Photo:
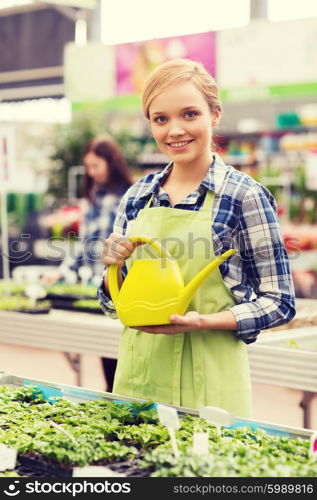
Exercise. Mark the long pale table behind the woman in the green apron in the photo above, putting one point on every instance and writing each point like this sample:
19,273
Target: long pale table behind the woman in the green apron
75,333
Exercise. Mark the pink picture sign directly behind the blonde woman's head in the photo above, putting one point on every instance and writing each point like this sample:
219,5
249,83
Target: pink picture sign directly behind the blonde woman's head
136,60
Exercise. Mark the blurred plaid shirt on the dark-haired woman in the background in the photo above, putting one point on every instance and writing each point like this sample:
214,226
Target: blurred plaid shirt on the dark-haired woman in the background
96,225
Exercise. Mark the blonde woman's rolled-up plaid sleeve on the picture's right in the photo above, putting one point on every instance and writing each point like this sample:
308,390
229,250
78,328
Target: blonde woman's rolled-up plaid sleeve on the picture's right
265,266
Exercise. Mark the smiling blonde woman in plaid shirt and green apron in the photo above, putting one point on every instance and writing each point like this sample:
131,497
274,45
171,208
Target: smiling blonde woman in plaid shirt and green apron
200,358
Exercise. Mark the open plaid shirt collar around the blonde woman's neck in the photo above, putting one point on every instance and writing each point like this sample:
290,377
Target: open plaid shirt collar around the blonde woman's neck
212,181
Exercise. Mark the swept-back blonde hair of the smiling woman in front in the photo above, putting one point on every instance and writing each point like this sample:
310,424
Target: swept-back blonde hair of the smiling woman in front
177,71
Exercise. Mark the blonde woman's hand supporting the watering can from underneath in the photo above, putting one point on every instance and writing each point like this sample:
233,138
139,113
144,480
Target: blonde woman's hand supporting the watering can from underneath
179,324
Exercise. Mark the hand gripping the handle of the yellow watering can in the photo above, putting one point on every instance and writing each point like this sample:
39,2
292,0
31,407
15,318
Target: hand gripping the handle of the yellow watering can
117,249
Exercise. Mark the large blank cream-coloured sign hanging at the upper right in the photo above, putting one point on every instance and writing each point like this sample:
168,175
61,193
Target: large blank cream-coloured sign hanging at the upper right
246,58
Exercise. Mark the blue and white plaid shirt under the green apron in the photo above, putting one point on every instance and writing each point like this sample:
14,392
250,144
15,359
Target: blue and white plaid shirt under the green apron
243,217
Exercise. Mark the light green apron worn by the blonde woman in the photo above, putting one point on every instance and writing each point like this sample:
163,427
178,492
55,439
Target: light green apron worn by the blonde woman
202,367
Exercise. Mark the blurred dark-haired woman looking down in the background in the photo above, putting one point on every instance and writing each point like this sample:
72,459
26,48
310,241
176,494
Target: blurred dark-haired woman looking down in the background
107,177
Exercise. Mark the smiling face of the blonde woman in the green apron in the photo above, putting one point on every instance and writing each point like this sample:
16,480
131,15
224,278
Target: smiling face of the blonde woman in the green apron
181,123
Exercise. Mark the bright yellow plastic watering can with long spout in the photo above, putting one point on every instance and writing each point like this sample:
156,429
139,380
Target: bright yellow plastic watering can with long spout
154,288
